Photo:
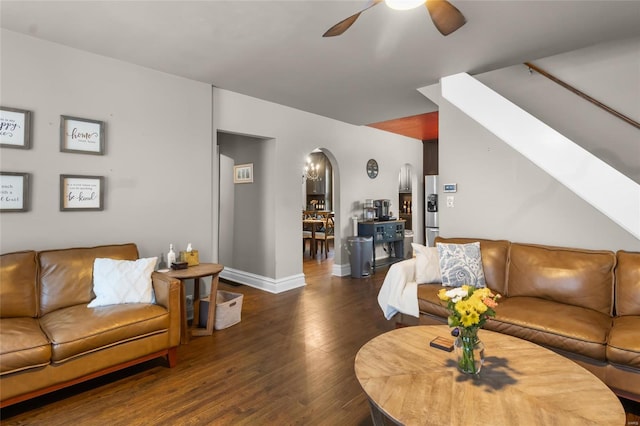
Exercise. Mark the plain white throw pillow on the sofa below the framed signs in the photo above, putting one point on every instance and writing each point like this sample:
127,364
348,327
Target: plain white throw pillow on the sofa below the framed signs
122,281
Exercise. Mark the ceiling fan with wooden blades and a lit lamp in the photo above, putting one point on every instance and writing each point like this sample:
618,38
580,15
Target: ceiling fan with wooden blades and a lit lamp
445,16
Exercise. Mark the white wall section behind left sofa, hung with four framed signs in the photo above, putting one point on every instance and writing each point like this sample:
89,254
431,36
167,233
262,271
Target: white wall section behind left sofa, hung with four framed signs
158,150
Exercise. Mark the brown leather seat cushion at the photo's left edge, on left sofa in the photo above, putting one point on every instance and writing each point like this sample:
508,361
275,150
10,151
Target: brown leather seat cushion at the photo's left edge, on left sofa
23,345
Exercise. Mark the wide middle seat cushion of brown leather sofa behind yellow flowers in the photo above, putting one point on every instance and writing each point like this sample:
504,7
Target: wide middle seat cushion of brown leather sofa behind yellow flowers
570,328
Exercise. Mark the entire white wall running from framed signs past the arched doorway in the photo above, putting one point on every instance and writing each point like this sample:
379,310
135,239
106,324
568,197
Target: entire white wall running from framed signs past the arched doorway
161,167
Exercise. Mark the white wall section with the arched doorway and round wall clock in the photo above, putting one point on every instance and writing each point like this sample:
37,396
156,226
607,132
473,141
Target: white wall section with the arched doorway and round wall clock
296,133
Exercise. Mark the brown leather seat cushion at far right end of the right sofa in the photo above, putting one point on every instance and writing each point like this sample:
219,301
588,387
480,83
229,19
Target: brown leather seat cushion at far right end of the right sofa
624,341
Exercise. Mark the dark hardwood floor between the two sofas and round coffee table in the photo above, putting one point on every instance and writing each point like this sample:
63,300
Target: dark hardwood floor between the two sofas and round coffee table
289,361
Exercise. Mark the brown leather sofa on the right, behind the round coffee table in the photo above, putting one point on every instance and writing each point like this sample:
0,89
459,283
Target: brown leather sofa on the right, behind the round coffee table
583,304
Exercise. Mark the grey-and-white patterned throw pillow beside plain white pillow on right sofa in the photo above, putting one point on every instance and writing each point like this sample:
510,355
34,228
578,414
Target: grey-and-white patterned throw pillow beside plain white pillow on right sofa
461,264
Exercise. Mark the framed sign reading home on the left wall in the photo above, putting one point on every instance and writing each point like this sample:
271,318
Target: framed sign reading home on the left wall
81,135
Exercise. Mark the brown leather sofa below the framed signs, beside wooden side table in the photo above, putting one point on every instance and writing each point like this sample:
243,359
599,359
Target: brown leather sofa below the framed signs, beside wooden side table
50,339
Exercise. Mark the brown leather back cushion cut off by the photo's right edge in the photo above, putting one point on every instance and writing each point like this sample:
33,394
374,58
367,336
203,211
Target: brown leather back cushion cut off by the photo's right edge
628,283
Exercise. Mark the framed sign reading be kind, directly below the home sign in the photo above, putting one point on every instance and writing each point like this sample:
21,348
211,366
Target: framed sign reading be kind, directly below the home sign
81,193
